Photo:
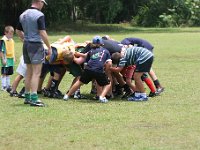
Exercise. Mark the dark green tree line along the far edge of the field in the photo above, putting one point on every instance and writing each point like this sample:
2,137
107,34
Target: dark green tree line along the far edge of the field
144,13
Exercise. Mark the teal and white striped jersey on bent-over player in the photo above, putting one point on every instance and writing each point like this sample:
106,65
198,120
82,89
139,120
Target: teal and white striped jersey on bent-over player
135,56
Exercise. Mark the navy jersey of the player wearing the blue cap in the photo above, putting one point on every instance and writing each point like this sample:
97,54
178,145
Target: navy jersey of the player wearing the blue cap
96,59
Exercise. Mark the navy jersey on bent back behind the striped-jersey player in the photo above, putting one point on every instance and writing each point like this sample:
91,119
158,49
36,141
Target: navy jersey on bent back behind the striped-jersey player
137,42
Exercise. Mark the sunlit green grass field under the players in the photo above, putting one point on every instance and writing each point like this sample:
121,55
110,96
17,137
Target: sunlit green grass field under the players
170,121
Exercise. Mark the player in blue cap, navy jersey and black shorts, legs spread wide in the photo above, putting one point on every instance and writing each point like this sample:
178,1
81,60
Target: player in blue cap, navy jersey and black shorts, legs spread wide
96,60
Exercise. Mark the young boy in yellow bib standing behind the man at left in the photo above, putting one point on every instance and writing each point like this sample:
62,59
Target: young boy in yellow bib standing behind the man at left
7,55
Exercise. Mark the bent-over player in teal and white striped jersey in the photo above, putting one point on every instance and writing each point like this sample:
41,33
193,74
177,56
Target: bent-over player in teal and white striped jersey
143,59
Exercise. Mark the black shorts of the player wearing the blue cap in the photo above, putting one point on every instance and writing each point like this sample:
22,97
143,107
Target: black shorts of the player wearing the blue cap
101,78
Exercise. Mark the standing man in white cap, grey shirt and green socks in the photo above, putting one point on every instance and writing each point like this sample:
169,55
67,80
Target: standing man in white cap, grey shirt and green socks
32,31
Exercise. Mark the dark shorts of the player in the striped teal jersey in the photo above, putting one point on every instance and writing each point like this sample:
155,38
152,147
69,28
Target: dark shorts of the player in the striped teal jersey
144,67
